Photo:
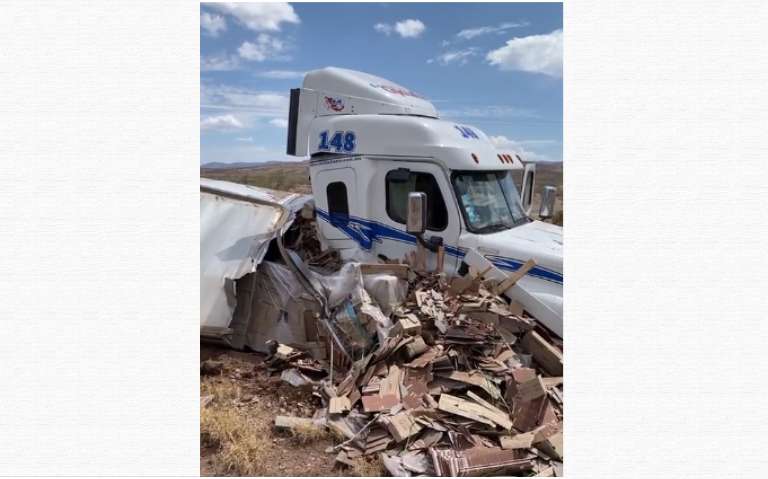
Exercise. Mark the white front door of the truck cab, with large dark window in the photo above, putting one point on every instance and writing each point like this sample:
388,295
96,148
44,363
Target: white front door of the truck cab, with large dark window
398,178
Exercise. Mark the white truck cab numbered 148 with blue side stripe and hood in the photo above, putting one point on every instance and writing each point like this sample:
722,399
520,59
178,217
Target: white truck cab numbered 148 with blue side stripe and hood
372,143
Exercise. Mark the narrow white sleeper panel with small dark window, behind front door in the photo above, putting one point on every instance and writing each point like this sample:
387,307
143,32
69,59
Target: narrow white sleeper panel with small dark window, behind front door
336,200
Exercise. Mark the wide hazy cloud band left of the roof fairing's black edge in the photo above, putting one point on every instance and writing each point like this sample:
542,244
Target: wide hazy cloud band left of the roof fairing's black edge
257,103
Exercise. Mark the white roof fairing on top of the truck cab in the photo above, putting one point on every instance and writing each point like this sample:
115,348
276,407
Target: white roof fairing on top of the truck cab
386,119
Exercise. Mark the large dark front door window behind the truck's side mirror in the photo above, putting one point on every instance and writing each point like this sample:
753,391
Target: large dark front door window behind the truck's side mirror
397,198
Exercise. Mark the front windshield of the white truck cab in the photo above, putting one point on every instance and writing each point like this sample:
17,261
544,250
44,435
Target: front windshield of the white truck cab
489,200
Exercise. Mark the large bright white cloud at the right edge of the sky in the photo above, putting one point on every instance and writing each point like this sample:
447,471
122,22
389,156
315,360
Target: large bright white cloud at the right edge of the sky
535,53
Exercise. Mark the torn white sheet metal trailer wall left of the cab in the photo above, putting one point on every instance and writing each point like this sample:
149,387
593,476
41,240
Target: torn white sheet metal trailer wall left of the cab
237,222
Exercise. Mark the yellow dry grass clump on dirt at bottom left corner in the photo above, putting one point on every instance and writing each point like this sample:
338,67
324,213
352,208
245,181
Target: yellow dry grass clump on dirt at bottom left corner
241,445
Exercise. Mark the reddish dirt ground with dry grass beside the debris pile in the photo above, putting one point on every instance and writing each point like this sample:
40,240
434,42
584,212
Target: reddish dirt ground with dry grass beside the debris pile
237,434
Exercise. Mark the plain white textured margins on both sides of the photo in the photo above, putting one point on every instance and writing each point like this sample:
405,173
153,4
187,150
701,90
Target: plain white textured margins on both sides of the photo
665,183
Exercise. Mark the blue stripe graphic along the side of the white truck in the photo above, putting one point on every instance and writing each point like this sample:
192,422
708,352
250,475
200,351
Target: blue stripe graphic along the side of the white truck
364,232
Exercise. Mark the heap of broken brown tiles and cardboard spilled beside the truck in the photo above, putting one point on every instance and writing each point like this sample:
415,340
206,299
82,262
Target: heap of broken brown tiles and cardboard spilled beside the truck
458,383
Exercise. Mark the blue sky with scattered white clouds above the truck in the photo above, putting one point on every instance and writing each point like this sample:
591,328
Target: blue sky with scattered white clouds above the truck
497,66
